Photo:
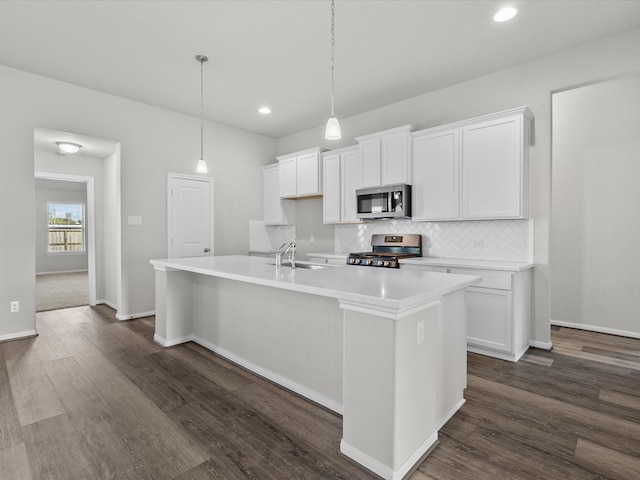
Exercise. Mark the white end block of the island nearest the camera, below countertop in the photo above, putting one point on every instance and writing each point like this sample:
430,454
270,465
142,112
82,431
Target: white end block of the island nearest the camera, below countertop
390,388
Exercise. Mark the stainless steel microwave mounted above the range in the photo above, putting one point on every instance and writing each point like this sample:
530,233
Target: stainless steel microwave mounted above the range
390,201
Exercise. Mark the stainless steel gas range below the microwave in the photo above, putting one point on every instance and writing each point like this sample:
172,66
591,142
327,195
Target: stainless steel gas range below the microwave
387,250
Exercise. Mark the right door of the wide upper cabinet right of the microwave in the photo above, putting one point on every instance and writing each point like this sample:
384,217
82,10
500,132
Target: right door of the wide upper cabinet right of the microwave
492,169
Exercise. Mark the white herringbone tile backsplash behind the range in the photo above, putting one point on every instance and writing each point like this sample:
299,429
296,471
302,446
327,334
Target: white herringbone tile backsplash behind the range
503,240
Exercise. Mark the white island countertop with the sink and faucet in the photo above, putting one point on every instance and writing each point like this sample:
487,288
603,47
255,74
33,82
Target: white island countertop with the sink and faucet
397,289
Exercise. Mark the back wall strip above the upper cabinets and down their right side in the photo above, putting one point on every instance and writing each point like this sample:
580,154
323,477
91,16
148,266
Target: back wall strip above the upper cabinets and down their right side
528,84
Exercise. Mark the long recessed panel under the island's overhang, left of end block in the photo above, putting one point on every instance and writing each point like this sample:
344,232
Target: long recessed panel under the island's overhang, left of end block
292,338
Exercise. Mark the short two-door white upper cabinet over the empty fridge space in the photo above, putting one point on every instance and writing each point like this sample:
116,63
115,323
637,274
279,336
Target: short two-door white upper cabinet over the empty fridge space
301,173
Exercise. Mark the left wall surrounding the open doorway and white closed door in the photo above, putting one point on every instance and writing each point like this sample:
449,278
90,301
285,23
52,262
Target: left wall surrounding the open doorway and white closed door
153,142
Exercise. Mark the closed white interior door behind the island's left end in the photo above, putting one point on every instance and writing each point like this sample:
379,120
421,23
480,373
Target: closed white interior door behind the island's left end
190,216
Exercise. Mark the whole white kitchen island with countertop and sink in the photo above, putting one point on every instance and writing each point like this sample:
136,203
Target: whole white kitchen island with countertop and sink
386,348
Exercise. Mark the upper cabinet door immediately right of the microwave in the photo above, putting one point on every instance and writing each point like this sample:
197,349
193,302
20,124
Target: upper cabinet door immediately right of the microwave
436,176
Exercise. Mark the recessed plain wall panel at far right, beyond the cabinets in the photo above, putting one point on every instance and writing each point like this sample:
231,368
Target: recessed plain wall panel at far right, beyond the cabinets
594,253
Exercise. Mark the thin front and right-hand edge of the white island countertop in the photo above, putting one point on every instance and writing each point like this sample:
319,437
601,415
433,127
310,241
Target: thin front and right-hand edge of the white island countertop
389,308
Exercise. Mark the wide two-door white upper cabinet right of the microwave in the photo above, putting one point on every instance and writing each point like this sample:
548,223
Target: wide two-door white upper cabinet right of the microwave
472,170
